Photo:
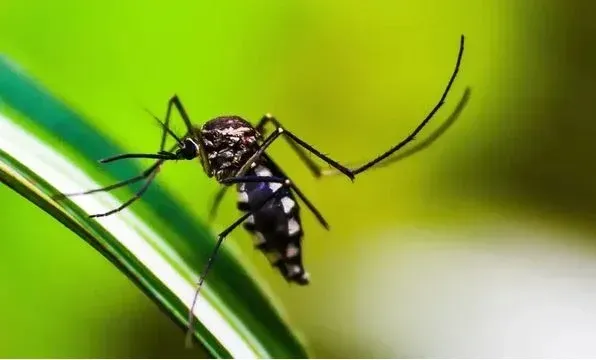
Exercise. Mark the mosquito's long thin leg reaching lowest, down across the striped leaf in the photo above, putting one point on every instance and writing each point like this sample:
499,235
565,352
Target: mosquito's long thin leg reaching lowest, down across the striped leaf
220,238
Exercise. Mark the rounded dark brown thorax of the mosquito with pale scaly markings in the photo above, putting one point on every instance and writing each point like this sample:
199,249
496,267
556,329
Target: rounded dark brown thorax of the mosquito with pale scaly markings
229,141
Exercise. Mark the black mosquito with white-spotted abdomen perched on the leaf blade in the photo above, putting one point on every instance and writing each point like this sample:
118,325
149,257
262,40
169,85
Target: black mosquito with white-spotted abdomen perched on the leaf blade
233,151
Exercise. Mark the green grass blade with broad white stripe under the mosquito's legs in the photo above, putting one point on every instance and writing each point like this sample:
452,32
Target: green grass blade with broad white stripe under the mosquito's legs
160,252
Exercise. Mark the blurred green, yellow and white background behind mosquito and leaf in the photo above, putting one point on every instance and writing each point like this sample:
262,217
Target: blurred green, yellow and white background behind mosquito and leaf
481,246
